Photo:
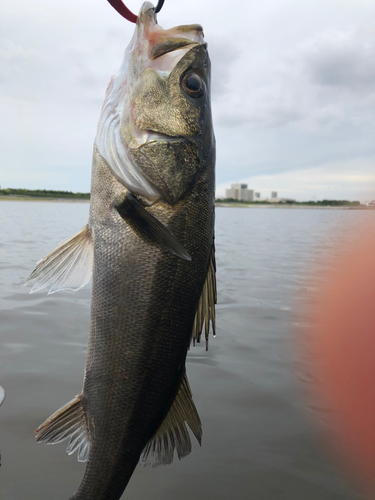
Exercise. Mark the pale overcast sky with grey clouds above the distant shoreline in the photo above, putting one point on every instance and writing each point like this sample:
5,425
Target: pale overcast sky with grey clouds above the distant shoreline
293,91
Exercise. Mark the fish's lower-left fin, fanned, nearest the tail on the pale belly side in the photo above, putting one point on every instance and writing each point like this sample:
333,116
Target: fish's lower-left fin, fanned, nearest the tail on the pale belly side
67,423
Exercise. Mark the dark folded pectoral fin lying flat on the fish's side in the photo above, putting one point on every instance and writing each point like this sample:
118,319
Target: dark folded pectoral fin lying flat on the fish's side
149,228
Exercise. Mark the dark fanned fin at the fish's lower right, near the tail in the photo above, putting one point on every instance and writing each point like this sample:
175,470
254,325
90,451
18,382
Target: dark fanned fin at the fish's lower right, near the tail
173,434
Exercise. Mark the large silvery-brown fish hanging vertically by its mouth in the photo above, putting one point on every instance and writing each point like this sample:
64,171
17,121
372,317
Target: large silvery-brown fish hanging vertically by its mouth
149,247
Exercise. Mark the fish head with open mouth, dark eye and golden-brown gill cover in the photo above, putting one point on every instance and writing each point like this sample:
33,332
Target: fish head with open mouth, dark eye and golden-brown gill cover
156,131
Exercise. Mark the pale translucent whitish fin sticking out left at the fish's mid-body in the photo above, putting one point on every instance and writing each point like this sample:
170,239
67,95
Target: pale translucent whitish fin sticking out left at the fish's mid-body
68,267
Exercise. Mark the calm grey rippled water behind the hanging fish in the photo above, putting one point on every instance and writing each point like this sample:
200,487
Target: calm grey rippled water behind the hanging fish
259,441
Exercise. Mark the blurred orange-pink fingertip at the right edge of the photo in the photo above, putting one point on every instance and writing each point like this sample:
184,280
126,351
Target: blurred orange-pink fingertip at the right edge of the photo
345,344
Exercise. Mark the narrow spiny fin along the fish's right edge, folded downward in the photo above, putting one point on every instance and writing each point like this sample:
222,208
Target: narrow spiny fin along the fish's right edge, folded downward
206,306
